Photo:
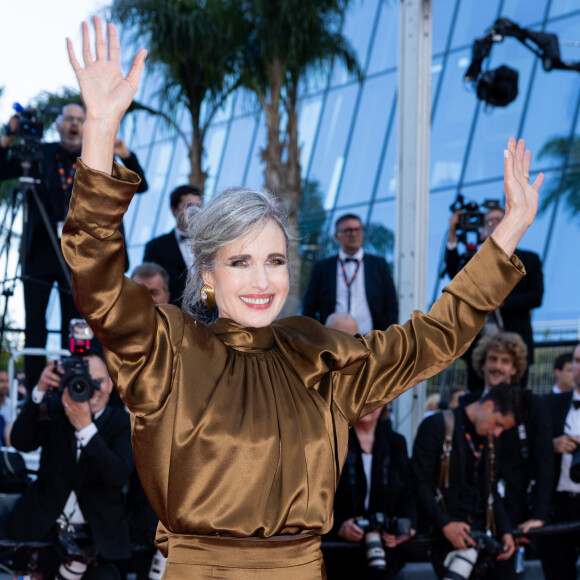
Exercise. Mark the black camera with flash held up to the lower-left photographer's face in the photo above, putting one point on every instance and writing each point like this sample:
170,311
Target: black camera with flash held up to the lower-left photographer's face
76,378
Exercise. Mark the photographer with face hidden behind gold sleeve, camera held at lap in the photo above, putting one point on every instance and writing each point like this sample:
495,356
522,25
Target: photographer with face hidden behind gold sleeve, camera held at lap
376,481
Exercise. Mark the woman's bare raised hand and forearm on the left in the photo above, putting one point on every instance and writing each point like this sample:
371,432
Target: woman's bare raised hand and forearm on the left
106,93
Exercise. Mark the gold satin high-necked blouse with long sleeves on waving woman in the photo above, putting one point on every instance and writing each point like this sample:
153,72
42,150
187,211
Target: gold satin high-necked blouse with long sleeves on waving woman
243,431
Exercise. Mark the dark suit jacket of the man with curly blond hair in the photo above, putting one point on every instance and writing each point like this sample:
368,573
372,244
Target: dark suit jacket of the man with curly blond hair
517,470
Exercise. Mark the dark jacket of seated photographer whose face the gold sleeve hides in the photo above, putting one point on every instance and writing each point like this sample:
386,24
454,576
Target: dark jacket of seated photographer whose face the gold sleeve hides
391,491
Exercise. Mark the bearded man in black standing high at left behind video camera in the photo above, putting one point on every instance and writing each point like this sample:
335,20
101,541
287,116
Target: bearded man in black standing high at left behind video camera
43,264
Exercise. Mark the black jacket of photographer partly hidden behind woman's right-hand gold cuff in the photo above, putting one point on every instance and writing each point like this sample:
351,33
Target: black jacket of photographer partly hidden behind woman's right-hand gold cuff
527,295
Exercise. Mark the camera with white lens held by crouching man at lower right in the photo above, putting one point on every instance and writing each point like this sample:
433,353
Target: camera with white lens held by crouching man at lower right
460,563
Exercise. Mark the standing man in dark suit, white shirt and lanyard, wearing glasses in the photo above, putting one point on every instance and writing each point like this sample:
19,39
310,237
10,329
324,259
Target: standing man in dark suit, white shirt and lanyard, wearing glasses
353,282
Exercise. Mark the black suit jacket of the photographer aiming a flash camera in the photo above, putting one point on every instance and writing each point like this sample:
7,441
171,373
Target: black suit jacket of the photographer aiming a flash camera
98,477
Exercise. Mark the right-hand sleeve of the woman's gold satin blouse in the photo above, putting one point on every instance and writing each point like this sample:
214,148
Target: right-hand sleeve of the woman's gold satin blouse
405,355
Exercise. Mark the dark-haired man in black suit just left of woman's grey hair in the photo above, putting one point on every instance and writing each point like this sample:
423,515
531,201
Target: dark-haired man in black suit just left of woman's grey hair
172,250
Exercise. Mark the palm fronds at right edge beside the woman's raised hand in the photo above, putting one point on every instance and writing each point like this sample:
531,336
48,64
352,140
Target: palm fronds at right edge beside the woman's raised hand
567,188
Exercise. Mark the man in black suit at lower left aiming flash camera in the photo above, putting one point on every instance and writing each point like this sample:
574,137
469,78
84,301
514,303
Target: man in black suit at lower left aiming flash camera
85,461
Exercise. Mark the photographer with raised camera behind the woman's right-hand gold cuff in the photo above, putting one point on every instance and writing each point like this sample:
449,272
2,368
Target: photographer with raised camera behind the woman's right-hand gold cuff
514,315
